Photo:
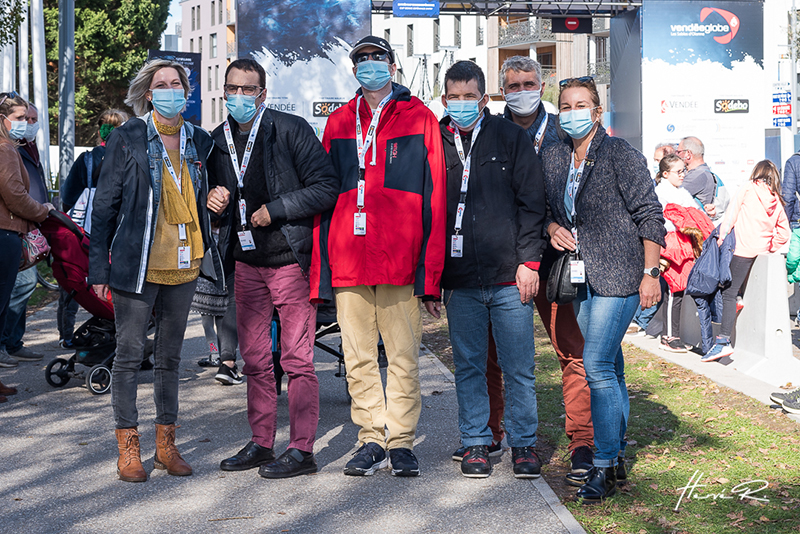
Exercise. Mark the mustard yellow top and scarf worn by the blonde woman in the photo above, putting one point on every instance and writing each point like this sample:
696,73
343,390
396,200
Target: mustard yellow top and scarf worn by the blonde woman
176,207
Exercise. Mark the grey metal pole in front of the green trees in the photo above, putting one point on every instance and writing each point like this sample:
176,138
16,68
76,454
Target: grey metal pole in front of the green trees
66,87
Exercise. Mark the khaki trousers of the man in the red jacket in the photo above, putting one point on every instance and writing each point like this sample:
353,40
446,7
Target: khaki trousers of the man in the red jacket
393,311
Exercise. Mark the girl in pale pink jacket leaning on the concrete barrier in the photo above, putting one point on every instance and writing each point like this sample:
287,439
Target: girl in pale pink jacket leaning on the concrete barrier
760,225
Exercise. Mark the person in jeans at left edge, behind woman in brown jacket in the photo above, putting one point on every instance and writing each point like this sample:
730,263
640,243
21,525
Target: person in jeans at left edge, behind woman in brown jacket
14,328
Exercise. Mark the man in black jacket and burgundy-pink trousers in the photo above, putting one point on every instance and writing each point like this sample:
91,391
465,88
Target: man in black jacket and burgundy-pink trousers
273,179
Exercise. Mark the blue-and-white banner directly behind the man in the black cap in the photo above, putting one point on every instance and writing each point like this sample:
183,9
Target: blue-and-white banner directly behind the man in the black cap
304,47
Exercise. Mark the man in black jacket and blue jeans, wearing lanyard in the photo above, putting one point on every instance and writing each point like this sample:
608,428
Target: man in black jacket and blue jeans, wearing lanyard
495,212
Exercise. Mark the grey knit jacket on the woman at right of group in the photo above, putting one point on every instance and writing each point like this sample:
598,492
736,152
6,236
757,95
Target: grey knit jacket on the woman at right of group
617,208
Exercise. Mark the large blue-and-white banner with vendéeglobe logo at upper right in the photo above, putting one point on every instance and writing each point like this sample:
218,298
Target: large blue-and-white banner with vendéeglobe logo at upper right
703,75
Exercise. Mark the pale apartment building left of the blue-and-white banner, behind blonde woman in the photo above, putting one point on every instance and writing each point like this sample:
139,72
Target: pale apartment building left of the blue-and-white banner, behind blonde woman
208,27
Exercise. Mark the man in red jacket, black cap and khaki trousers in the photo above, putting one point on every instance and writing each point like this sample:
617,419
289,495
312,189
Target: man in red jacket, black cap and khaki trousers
381,250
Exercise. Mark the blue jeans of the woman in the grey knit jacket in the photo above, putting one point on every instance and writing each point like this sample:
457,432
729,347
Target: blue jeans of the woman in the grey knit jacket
603,321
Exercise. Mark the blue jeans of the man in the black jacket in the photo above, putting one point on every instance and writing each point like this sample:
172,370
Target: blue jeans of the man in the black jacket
469,312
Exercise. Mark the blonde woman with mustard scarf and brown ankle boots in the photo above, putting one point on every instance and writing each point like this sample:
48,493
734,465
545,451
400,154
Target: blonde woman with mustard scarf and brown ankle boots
150,221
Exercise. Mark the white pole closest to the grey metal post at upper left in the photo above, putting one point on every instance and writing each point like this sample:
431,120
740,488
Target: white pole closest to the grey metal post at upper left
40,84
